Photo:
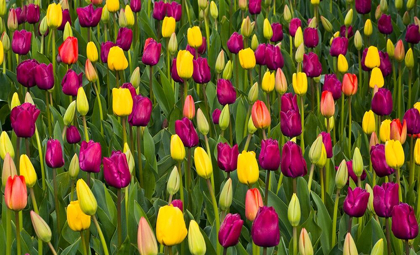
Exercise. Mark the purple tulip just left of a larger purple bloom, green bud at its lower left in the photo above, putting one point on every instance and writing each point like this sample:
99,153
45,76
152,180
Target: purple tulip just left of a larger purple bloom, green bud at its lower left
90,156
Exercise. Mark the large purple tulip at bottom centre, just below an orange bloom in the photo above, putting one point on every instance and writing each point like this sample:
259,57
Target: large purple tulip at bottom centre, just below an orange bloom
265,229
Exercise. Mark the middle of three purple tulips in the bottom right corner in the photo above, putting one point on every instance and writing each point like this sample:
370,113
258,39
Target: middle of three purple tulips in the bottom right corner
385,197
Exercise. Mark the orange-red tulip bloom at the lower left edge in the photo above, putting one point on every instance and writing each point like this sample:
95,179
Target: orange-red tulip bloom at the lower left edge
15,194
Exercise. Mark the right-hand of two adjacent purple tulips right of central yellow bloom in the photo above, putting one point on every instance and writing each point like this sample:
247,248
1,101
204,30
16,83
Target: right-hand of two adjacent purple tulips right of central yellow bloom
292,162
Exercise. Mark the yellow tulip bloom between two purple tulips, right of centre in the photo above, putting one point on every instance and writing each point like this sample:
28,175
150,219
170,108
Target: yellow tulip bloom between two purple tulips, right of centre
248,171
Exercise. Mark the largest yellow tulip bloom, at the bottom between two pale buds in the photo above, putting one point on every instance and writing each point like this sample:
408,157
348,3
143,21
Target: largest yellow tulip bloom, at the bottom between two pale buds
170,226
